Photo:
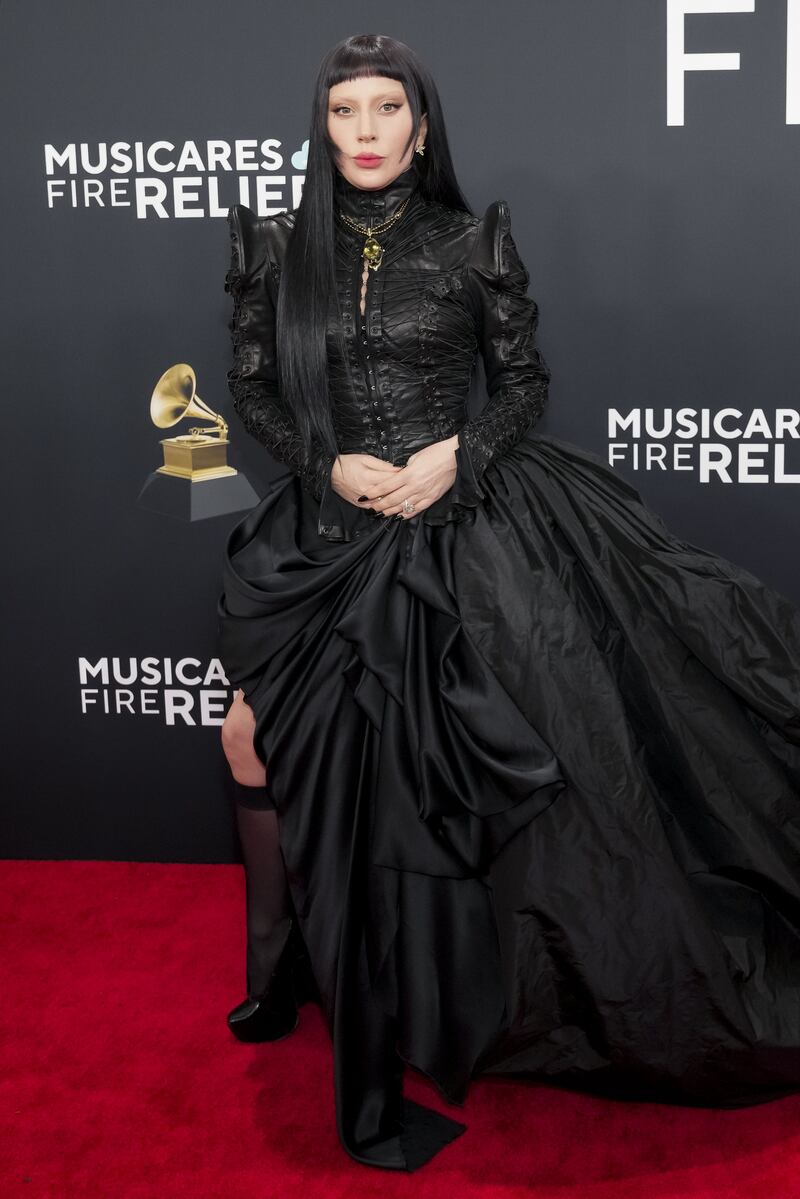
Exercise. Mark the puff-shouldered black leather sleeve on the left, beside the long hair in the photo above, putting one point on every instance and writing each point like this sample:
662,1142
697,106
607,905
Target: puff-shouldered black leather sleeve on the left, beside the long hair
252,379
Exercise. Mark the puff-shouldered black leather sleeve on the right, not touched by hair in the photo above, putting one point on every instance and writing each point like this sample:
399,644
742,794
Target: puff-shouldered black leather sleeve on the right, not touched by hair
516,375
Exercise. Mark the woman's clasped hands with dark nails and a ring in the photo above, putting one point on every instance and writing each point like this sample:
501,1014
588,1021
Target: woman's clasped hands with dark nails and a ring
428,475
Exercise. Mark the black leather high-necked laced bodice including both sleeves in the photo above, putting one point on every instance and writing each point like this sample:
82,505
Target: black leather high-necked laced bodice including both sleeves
450,286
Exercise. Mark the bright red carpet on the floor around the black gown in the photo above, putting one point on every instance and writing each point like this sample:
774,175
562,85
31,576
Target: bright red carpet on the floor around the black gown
119,1077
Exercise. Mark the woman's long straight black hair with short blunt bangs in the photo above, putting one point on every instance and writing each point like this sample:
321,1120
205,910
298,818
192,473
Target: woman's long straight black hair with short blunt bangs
308,280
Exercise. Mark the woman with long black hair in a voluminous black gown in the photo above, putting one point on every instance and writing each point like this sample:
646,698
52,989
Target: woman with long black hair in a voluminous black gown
519,772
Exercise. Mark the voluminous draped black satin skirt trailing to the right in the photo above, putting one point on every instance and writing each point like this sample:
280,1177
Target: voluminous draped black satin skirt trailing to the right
538,784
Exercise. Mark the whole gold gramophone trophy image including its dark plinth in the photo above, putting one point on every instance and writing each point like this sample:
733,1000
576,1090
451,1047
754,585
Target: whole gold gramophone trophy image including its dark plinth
191,459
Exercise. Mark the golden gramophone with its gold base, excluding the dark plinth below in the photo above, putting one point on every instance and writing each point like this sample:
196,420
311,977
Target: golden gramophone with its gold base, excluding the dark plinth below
197,455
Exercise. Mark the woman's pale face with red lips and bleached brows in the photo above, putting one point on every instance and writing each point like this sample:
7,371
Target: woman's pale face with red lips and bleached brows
372,117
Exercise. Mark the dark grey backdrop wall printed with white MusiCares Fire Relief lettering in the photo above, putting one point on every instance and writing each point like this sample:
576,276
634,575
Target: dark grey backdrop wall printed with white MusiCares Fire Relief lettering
659,225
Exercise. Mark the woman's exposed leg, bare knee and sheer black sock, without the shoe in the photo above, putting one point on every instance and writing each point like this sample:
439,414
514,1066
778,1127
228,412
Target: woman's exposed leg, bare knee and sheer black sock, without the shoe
268,902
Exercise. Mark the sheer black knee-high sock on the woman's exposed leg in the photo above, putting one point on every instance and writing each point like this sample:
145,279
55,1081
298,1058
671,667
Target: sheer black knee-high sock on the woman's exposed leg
268,900
